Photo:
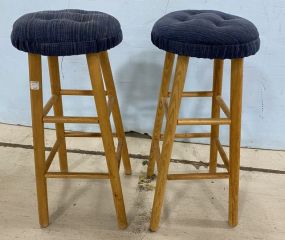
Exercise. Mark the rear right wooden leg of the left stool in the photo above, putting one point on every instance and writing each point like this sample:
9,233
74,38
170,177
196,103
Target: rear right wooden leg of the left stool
110,87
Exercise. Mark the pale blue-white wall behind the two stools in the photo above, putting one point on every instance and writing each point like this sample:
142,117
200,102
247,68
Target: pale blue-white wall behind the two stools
137,66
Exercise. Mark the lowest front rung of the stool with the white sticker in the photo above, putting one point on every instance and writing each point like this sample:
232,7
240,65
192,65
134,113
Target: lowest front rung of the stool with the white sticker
82,175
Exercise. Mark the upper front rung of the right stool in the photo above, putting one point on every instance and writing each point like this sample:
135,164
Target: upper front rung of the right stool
203,121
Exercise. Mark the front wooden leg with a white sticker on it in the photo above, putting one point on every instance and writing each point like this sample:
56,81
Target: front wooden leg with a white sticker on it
35,71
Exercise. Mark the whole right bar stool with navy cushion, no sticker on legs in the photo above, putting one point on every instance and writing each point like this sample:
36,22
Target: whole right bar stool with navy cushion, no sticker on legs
202,34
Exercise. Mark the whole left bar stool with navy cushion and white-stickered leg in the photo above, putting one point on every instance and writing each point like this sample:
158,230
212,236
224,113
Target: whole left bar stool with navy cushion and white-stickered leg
65,33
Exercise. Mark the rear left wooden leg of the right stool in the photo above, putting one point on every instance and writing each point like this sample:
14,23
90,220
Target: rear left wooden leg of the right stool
166,76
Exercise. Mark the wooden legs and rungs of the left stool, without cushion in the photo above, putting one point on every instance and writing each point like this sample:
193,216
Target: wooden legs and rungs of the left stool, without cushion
100,75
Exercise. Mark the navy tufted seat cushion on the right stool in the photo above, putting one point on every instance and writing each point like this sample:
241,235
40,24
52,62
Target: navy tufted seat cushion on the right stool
206,34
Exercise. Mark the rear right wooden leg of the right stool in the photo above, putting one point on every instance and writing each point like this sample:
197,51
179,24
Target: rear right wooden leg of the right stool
217,91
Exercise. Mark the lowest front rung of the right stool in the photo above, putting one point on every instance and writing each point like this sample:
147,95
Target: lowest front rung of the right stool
193,176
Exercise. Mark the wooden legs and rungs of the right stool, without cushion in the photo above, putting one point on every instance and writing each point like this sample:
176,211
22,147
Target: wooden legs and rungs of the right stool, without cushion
169,104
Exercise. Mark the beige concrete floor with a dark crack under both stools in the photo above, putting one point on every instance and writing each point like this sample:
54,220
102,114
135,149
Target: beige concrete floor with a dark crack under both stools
83,209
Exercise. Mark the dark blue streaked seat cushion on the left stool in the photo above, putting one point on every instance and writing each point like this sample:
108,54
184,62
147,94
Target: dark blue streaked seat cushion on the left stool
66,32
